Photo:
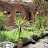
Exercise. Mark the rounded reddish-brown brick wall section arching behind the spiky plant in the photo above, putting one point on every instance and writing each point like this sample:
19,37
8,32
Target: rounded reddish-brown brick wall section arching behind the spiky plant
19,8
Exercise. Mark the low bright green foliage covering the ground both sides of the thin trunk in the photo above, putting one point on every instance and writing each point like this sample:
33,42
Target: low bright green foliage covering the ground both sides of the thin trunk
13,35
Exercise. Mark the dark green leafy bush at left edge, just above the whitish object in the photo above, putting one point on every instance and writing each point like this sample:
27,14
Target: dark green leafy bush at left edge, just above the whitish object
5,37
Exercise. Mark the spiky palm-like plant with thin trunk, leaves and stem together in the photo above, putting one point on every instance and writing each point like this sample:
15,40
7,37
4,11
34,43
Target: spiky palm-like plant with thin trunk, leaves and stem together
20,23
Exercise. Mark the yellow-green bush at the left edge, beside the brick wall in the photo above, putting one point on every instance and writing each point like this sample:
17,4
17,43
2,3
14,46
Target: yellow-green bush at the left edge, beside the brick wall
3,21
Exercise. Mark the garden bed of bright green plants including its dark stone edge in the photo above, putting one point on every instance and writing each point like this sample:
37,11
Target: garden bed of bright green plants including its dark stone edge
27,37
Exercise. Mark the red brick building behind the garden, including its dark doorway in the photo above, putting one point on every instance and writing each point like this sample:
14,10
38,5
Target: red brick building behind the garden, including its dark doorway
11,9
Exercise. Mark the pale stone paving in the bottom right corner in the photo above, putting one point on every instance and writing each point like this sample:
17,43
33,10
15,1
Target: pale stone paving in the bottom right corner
39,44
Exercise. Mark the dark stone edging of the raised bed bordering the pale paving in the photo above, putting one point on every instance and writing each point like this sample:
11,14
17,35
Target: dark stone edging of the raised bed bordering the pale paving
33,39
